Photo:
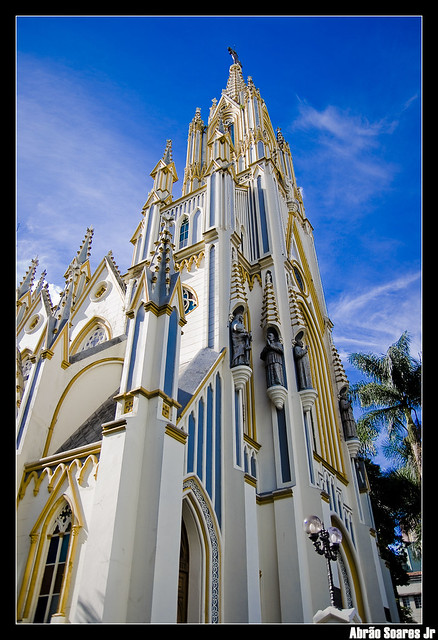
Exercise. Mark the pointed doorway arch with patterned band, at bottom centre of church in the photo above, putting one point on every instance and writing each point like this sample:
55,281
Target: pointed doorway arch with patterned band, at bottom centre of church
205,553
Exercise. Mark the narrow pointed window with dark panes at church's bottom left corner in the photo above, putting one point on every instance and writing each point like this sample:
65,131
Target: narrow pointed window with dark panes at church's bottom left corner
54,570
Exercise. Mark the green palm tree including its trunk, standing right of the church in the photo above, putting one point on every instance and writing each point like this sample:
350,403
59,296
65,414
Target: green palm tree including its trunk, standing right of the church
392,397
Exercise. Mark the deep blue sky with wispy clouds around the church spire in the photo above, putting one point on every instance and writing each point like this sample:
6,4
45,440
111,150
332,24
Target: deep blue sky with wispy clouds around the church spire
98,96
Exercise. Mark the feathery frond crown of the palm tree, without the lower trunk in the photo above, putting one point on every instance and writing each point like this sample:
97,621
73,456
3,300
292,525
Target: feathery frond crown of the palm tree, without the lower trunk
393,399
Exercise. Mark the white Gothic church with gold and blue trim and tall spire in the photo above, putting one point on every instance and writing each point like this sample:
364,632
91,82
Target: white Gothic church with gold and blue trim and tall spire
177,423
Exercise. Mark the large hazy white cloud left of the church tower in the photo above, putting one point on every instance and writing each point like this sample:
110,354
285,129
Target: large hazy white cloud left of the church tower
75,168
